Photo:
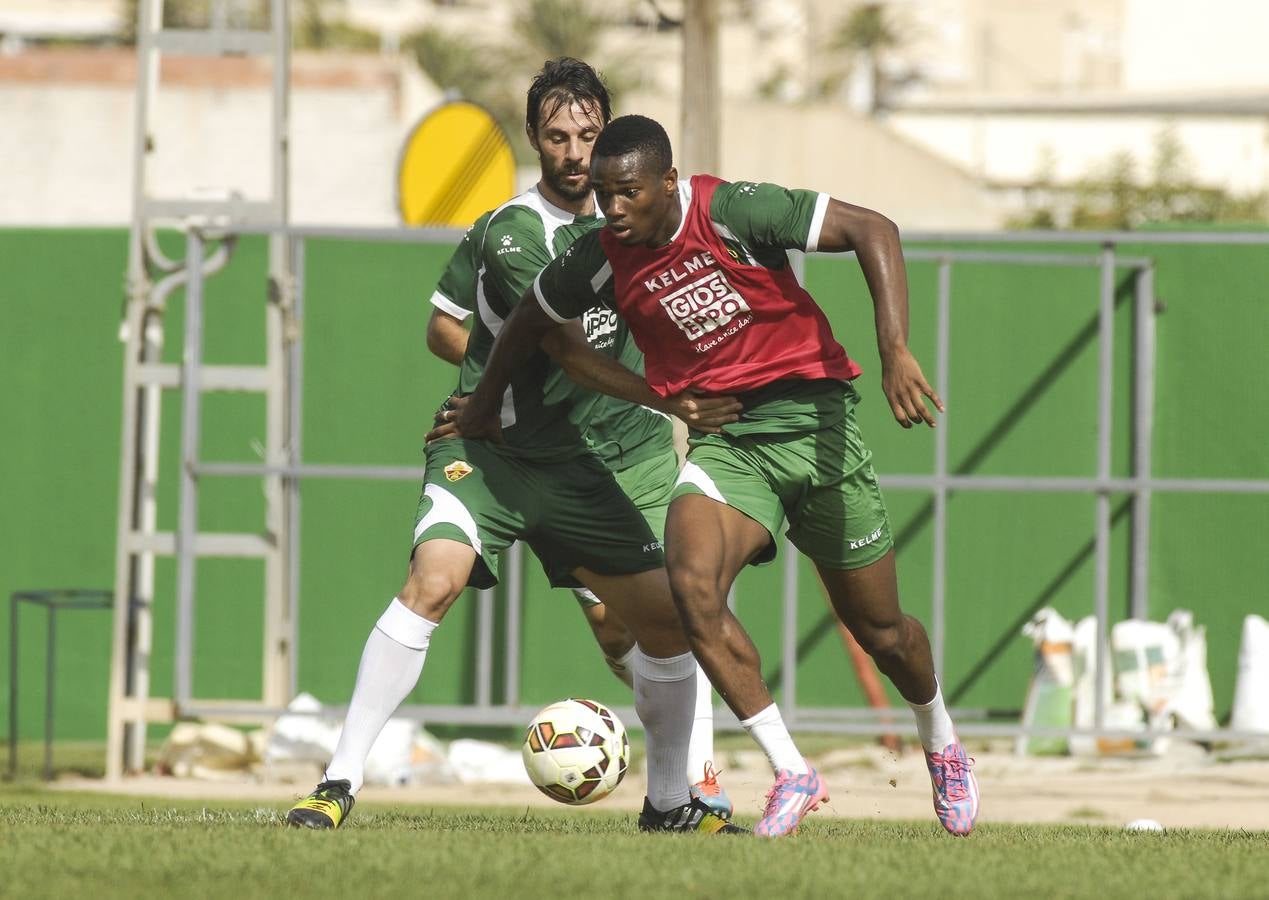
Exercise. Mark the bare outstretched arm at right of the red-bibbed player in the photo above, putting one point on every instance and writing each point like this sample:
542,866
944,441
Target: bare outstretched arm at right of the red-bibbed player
876,243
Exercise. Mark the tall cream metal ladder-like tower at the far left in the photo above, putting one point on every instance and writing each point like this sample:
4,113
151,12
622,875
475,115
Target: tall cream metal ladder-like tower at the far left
153,277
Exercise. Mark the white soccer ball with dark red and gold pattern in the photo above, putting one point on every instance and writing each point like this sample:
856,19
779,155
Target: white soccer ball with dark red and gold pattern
577,752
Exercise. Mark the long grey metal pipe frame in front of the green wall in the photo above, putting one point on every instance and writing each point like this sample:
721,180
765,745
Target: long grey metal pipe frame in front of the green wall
290,470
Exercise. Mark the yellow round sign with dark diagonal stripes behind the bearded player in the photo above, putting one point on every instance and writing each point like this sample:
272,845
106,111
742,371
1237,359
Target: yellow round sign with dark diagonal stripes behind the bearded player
456,164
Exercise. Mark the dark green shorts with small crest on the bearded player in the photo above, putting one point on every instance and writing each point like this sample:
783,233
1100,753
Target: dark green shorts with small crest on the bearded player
572,512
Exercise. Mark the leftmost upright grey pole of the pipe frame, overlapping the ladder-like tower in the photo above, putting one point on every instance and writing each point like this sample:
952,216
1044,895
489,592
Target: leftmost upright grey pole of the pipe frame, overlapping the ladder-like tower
191,412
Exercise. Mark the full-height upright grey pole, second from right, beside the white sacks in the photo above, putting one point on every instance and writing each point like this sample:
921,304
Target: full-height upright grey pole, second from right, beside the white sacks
1106,393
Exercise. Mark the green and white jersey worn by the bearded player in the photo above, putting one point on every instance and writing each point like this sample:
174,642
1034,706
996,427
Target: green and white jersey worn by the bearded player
544,412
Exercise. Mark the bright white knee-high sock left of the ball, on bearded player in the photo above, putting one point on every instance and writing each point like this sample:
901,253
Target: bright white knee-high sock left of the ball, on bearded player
391,665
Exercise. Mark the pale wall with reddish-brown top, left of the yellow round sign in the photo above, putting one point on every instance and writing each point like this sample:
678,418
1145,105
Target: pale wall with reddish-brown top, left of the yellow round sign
68,143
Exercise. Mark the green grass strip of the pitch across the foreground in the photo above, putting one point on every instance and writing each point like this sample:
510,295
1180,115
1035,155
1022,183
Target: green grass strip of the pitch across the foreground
65,845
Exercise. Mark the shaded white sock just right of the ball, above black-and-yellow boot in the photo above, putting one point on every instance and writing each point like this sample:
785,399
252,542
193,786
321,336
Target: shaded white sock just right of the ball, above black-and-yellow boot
664,695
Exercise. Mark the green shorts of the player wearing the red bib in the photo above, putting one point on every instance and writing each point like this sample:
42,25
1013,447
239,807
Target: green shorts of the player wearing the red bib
823,482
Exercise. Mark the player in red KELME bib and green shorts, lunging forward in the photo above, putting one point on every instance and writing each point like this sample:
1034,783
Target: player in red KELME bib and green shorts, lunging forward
700,272
